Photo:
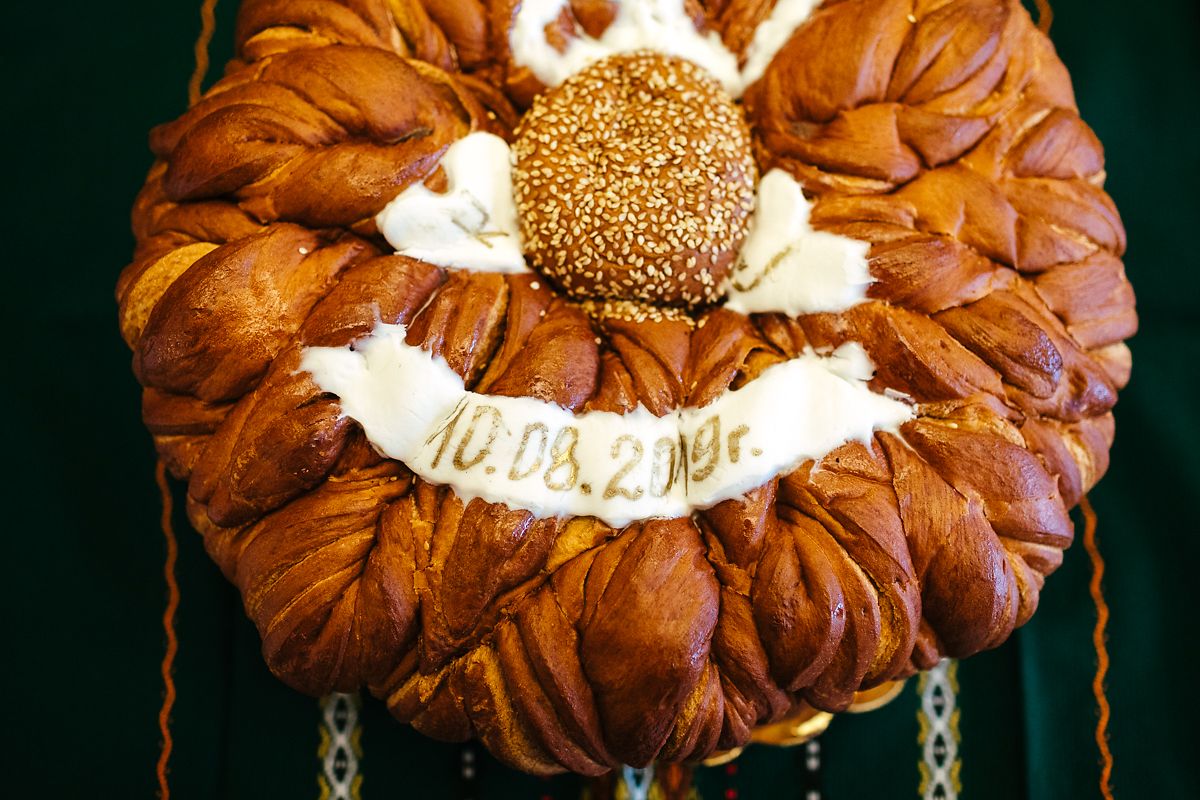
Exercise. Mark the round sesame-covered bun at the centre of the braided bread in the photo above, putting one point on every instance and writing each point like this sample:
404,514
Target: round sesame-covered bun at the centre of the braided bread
635,182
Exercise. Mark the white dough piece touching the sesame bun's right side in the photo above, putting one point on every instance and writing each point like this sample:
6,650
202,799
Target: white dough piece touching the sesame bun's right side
788,267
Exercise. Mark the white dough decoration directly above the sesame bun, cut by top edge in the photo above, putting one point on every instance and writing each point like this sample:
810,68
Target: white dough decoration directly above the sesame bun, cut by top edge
661,26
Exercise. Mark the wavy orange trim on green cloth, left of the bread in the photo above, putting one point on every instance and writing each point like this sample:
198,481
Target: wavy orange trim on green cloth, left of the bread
208,27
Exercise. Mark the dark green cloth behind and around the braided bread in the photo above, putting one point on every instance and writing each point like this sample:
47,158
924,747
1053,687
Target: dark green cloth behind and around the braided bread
85,551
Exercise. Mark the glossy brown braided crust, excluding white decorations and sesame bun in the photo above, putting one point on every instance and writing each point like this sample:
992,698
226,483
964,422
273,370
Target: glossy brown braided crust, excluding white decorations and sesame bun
943,133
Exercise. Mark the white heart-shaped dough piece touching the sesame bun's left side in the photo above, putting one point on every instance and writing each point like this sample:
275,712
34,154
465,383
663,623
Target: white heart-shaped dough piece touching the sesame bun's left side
473,224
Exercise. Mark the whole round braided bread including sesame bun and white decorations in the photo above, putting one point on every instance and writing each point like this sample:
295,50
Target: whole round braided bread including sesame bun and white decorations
527,378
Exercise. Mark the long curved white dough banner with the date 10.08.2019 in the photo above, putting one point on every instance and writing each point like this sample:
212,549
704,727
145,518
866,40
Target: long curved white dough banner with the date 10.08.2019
538,456
